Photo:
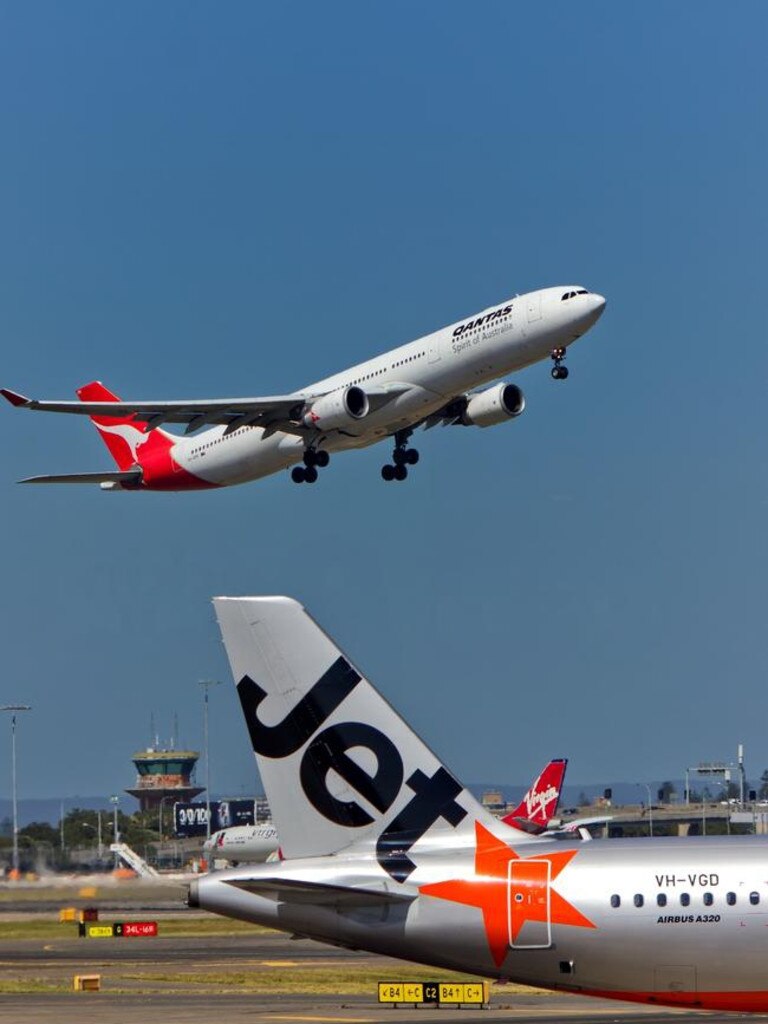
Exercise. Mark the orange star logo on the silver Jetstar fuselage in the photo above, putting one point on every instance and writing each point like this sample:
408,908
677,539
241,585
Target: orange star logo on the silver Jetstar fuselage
531,895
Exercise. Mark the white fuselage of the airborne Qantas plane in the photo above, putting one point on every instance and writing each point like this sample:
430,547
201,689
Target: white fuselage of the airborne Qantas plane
425,374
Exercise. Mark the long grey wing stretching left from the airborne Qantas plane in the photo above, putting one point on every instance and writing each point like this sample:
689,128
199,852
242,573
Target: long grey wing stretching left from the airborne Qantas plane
274,413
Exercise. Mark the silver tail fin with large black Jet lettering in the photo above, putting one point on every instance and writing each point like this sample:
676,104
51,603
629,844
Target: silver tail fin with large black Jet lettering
338,764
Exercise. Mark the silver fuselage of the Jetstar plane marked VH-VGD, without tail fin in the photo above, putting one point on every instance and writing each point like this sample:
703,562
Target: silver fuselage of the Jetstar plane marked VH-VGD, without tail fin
668,921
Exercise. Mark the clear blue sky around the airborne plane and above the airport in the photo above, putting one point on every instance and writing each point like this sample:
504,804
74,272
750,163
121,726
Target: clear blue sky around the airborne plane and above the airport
204,200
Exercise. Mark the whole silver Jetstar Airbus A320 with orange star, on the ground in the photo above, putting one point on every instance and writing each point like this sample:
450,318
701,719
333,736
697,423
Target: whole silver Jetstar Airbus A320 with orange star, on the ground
385,850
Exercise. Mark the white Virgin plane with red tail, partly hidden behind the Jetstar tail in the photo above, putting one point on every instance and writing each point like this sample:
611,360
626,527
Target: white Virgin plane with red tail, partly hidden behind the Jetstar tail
254,844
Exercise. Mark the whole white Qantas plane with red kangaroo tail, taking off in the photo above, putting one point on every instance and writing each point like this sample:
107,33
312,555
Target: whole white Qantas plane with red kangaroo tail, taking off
437,379
